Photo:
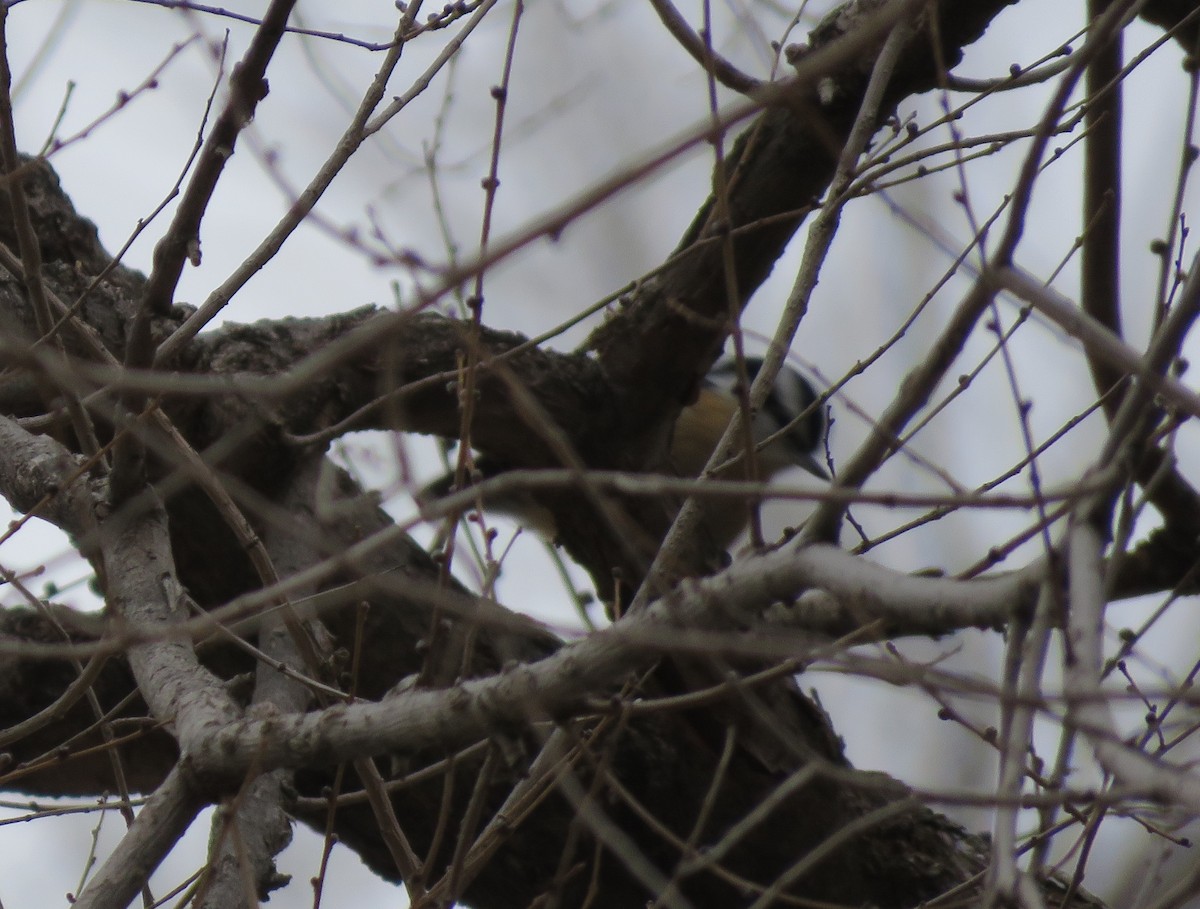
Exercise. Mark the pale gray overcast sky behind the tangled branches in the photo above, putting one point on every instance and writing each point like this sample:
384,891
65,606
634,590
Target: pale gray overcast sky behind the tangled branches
597,85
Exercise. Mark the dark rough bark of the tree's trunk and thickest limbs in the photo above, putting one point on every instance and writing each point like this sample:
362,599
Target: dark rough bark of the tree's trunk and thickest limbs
616,412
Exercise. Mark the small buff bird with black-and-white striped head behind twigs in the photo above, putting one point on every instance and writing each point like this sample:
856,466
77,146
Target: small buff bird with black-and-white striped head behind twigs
698,431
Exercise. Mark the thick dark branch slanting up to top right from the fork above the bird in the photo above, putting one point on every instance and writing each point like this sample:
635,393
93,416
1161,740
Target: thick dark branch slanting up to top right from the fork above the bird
675,326
